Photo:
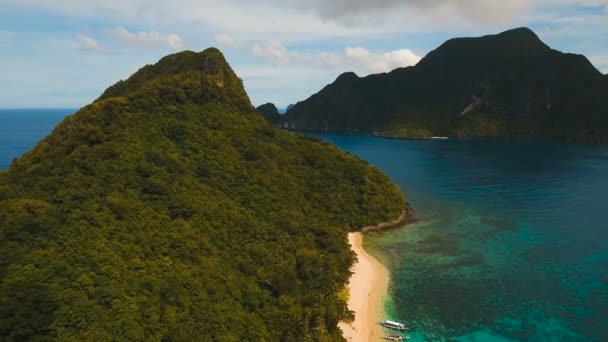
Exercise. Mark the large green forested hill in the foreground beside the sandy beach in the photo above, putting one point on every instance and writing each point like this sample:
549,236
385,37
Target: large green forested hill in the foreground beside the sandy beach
170,210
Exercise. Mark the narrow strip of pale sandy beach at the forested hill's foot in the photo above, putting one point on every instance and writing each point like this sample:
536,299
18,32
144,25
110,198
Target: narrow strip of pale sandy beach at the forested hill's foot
368,287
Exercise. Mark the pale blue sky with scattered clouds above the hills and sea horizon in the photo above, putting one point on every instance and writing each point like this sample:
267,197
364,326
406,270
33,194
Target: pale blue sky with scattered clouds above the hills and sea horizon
64,53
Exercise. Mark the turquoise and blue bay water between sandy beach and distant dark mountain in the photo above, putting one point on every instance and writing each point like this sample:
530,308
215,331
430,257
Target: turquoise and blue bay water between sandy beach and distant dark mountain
512,242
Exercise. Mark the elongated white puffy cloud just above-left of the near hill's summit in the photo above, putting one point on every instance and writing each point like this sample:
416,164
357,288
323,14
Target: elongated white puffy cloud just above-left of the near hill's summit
147,39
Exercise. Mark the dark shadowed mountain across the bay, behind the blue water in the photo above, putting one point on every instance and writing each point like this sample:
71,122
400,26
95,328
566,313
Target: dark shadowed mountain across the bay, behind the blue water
509,85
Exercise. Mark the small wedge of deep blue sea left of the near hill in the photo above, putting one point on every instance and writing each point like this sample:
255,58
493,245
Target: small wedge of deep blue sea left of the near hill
21,129
